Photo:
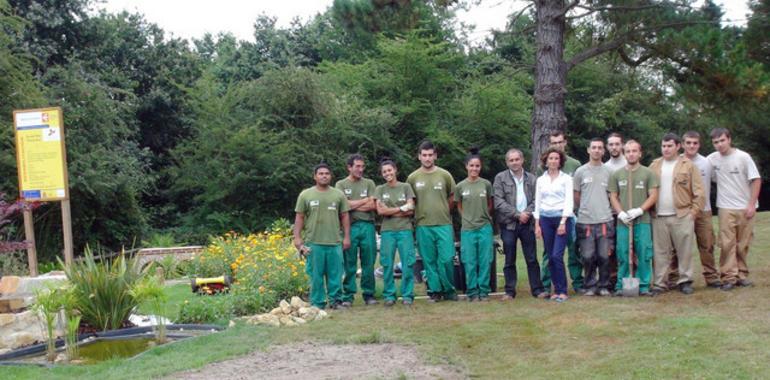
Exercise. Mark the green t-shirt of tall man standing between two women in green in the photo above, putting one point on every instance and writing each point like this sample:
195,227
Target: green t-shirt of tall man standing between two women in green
432,191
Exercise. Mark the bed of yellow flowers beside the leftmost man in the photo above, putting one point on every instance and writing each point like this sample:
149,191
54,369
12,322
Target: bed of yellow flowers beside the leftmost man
265,269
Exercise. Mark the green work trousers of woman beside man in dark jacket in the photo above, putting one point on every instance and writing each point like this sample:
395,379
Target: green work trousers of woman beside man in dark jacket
476,255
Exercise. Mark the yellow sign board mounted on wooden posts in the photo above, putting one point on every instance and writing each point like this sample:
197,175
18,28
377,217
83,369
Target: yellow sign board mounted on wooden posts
40,154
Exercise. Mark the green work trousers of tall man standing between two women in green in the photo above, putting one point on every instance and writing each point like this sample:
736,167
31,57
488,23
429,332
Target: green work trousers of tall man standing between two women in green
437,249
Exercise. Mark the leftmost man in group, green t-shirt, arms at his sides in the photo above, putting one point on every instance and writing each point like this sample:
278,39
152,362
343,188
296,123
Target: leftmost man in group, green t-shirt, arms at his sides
320,211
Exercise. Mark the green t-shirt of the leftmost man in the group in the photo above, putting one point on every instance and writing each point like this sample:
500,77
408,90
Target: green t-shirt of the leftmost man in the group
322,211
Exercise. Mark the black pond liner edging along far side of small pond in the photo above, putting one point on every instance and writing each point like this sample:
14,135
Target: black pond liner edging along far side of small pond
112,334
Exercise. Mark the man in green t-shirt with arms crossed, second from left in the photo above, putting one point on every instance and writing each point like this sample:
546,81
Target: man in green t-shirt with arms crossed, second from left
359,192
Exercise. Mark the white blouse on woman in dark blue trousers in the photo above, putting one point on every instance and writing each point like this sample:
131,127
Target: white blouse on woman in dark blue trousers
554,198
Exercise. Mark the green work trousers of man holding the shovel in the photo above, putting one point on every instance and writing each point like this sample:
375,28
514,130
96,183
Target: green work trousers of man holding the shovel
642,253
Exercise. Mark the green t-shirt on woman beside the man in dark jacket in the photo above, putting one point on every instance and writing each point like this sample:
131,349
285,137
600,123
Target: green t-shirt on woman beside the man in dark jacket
474,197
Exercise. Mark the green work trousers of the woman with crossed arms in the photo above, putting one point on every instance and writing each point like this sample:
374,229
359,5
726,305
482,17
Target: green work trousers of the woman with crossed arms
404,242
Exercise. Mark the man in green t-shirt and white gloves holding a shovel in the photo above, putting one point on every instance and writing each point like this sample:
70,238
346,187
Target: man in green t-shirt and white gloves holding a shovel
633,191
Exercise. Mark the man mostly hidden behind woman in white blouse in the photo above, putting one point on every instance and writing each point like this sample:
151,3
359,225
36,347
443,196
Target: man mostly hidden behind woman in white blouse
574,264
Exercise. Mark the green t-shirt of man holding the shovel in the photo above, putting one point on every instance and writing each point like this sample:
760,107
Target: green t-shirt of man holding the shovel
642,179
